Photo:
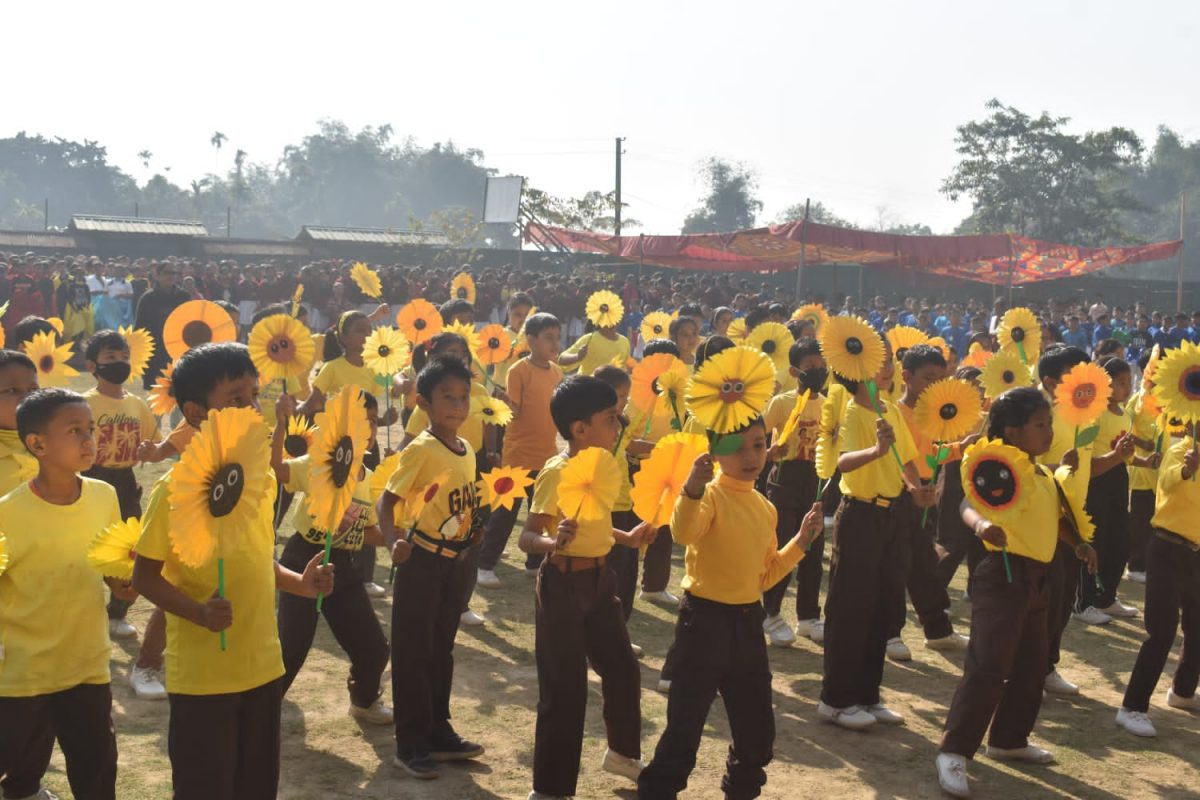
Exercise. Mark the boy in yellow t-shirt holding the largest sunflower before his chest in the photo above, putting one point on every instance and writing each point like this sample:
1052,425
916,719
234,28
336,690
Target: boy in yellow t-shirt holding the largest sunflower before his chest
225,706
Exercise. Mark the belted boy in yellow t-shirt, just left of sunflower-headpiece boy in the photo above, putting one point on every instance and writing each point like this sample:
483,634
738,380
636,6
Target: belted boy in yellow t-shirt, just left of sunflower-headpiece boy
578,617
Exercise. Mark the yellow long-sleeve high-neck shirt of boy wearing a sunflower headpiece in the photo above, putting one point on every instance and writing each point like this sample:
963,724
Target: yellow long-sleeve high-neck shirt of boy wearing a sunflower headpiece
730,533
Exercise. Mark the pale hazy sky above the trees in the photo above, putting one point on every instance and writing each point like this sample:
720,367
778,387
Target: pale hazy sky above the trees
851,104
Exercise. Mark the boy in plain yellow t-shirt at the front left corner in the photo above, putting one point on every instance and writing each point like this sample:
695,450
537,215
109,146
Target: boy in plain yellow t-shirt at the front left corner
55,677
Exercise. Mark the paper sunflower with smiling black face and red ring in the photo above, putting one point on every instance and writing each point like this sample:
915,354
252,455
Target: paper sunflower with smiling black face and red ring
998,480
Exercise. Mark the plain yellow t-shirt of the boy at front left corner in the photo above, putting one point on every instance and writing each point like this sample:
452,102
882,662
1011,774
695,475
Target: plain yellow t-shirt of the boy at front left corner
53,624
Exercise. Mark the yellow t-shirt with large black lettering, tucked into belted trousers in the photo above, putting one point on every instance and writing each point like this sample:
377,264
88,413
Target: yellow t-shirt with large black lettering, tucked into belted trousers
449,513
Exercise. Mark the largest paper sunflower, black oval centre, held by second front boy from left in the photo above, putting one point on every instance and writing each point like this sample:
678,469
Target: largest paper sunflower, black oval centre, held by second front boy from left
220,485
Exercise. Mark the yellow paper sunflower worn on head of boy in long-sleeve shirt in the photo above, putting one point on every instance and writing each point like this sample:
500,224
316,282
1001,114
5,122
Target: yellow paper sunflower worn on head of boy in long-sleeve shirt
731,389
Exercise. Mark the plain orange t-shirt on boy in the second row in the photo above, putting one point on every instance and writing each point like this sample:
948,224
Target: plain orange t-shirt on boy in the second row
531,440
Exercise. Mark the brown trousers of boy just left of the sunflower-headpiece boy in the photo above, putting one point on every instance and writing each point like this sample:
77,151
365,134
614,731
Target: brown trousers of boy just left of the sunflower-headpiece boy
579,622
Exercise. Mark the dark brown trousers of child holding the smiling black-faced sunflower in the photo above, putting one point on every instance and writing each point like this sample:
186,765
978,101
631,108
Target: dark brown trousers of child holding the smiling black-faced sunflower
1004,673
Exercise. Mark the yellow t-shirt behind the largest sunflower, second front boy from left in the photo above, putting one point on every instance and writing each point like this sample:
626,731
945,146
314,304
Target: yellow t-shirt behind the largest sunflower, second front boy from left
196,665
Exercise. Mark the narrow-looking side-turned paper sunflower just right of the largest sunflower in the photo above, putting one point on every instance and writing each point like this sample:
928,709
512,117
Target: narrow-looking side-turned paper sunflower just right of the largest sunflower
344,435
